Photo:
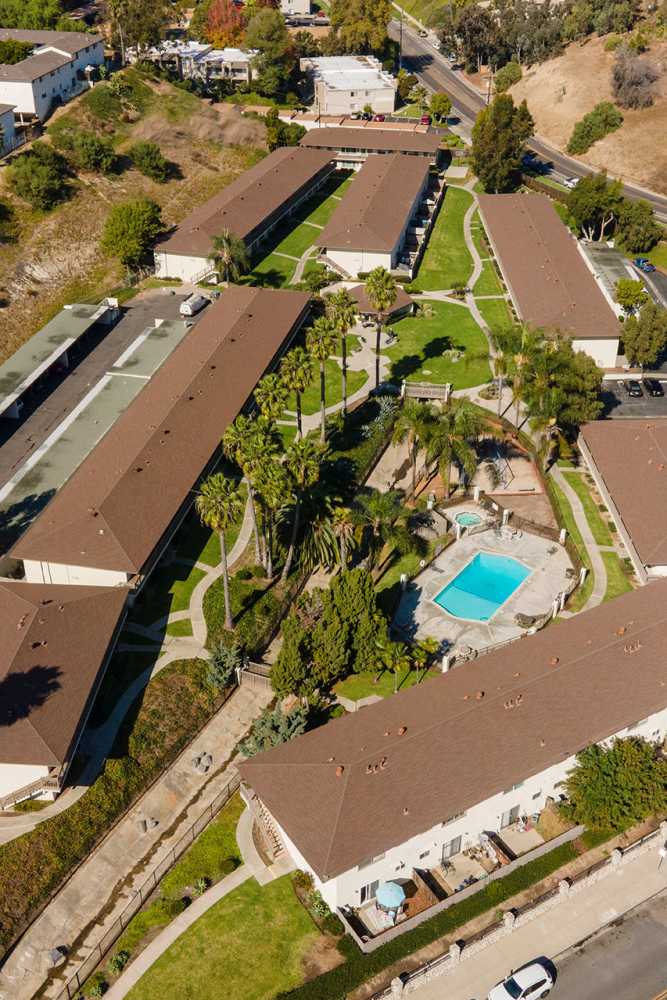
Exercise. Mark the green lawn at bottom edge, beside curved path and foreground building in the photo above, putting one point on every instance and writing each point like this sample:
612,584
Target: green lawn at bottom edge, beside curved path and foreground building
250,945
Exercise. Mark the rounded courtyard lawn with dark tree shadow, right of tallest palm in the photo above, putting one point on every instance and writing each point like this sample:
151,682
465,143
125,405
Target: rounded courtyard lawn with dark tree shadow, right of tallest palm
419,355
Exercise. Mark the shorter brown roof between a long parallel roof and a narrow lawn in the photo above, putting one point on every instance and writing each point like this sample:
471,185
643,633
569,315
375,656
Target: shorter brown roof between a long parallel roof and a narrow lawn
374,210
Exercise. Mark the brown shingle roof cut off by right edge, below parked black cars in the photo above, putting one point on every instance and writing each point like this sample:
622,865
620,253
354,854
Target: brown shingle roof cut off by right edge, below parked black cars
631,457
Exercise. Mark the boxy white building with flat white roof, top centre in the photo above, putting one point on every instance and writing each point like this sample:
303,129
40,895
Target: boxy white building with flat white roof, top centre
345,84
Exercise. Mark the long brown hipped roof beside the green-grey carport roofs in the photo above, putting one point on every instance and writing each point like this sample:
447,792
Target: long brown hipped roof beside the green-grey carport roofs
112,513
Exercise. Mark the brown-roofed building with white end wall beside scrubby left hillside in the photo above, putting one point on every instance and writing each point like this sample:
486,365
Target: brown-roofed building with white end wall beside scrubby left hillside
250,207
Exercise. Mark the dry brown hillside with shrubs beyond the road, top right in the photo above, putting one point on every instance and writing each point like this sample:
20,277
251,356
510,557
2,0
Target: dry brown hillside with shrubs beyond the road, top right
561,91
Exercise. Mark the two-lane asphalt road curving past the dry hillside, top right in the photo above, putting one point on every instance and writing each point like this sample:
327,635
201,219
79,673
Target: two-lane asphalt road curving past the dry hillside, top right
422,59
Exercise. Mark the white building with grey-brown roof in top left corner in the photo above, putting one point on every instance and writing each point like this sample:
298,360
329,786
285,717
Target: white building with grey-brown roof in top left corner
59,67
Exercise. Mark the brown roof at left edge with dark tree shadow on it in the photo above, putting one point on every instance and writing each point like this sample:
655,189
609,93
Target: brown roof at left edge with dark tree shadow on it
53,642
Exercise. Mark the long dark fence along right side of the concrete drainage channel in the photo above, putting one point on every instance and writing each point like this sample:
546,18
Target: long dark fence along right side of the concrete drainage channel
109,938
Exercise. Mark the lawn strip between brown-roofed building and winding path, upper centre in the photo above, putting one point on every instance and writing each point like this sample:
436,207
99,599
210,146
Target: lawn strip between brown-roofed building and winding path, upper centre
447,259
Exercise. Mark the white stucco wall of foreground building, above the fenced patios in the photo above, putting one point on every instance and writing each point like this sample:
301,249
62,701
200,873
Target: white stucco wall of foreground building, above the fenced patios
425,849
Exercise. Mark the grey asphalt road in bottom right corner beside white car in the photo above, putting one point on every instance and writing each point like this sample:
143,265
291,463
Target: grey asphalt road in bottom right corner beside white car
626,961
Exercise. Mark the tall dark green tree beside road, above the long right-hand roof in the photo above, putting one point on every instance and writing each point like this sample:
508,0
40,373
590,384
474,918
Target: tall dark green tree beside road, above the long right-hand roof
498,143
